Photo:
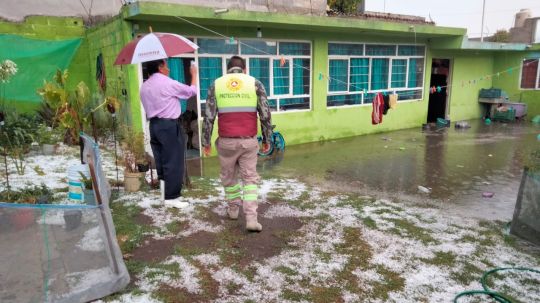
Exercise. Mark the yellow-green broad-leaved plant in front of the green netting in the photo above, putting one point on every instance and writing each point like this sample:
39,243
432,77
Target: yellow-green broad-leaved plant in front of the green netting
68,106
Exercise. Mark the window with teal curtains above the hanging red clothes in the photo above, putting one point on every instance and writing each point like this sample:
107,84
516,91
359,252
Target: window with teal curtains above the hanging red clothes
357,72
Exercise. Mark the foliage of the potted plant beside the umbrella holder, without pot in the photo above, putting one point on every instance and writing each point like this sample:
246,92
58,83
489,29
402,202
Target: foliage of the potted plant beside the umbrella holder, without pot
133,148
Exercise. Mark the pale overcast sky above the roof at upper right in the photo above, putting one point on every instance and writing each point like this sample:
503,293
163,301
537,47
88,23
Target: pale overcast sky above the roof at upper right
499,14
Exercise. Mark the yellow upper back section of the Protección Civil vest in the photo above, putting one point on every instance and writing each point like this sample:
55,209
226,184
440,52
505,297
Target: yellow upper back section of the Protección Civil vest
236,91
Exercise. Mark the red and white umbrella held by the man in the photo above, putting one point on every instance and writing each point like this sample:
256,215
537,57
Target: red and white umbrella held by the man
154,46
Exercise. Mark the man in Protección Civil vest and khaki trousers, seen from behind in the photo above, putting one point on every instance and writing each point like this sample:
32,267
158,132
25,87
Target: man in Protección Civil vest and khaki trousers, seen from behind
236,98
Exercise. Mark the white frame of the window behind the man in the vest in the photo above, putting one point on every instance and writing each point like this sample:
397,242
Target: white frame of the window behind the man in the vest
269,90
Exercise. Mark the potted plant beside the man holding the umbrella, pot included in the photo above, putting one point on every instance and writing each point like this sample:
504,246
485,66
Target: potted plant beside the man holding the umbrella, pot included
134,154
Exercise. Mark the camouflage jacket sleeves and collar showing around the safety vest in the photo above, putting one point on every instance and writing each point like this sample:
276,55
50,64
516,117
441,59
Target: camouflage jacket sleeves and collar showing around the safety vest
262,108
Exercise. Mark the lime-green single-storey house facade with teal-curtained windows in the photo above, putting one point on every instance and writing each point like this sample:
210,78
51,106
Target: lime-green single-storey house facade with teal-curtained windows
321,73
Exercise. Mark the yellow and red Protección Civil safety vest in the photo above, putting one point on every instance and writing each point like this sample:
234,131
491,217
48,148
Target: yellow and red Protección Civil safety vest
236,98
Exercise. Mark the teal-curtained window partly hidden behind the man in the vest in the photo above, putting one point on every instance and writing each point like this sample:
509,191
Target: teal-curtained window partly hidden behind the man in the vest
283,67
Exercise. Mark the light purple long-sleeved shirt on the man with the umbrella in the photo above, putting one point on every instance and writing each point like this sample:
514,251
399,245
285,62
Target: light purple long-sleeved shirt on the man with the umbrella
160,94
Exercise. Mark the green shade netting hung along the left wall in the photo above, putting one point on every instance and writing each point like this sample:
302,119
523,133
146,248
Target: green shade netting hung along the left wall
37,60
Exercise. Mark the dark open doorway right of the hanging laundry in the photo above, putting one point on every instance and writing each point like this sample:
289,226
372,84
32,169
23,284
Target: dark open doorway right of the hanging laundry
438,100
